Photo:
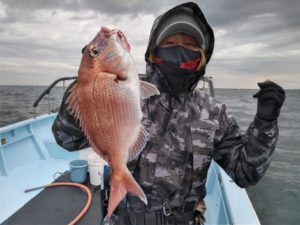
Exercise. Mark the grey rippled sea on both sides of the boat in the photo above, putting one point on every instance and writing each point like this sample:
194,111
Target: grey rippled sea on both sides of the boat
276,198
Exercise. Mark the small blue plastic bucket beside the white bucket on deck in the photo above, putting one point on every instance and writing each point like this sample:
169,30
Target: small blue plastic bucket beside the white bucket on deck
78,170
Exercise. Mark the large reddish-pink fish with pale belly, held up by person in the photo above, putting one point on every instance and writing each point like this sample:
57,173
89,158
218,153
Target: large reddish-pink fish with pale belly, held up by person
106,100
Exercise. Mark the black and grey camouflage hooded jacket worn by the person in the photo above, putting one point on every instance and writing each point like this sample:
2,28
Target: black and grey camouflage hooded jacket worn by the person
186,132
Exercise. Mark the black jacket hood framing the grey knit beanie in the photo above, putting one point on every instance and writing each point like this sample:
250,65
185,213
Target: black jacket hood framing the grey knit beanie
199,16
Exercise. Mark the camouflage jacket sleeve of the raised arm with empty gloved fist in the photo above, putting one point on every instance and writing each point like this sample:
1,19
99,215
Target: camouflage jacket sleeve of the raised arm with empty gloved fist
246,157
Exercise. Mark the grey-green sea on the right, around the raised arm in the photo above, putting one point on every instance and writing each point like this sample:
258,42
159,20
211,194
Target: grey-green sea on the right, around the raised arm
276,198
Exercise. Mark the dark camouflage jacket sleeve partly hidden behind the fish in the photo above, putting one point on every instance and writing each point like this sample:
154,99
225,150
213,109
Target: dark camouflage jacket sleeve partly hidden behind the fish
66,129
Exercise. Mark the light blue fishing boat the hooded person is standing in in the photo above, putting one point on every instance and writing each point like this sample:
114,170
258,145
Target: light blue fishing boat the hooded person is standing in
30,157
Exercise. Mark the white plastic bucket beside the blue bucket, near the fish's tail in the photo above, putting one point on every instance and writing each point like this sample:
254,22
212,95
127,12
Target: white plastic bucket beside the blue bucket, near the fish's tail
96,169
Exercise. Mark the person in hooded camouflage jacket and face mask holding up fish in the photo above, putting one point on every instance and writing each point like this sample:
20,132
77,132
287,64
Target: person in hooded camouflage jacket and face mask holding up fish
188,129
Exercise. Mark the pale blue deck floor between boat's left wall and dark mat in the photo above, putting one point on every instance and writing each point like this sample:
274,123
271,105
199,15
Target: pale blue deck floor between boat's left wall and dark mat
34,174
